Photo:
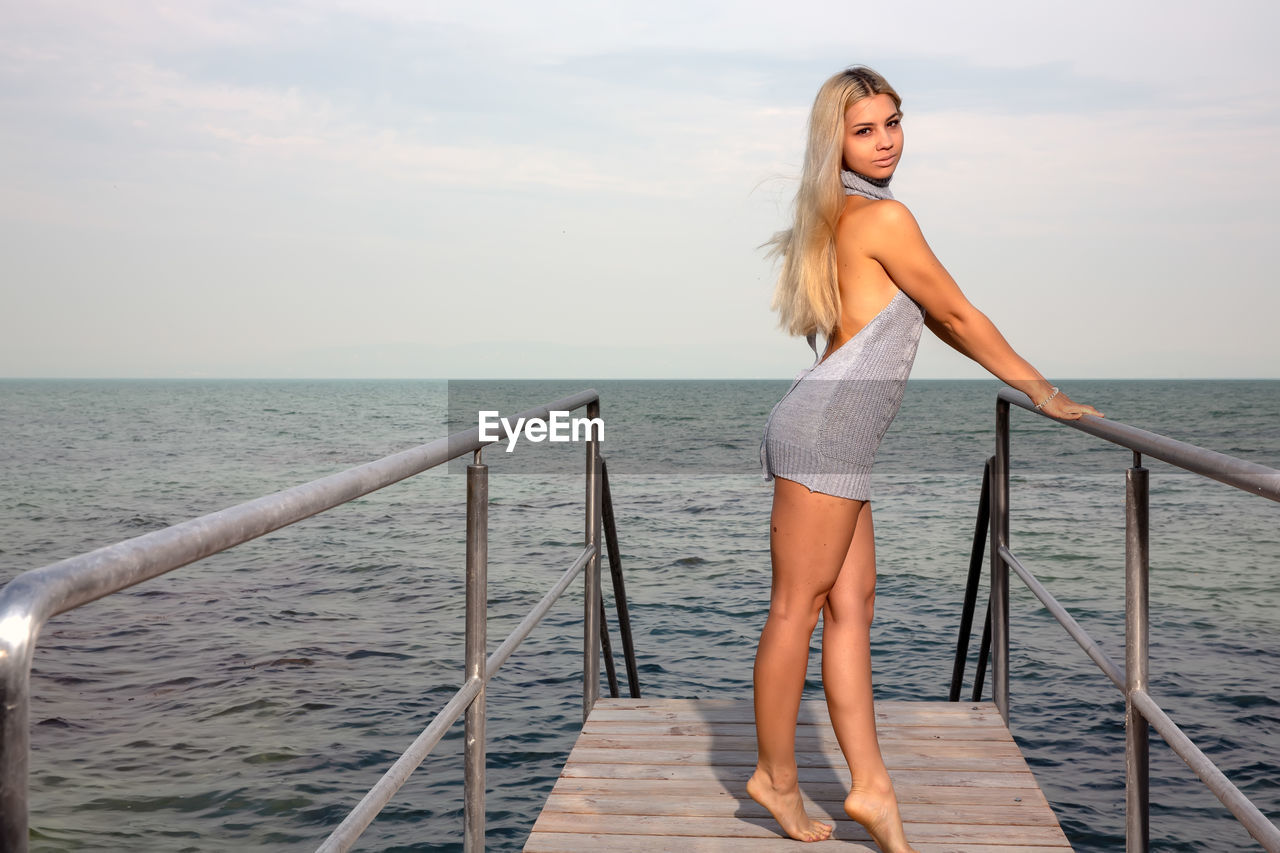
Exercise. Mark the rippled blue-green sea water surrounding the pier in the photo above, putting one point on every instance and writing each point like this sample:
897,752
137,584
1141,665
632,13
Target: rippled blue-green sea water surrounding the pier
249,701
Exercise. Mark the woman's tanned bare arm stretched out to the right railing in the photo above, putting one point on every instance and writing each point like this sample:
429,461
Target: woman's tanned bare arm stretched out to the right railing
894,239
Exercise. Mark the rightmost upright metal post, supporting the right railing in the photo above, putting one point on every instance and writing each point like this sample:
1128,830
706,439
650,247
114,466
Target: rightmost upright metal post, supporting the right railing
1136,622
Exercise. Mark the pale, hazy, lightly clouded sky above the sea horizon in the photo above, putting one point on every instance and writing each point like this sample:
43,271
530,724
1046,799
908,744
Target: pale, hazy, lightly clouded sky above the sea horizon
385,189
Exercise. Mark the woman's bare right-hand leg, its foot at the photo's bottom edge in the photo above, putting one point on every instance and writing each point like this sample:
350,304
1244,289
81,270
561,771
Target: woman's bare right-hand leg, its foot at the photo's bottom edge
847,679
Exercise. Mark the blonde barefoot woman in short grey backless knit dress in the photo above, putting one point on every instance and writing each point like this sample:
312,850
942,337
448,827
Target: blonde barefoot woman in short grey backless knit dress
856,268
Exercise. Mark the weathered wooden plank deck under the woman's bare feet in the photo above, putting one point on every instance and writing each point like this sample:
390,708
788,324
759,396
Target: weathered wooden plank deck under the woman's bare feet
670,776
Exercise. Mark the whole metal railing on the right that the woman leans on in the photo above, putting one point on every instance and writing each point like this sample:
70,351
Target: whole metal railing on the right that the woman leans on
1141,708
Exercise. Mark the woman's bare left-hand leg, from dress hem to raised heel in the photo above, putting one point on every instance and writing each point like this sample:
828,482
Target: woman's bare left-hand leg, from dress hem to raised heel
810,539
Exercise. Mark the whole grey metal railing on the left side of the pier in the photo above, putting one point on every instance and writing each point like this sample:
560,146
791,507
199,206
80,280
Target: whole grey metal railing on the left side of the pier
34,597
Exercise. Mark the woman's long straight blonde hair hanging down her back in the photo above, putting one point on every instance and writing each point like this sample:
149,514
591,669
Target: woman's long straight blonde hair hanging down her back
808,297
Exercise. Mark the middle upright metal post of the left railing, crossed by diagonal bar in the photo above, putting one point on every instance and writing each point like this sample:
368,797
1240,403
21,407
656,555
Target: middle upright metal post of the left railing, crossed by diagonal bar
477,651
